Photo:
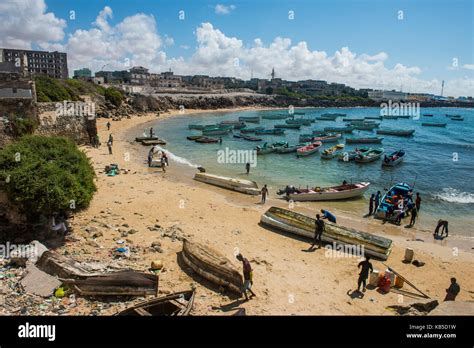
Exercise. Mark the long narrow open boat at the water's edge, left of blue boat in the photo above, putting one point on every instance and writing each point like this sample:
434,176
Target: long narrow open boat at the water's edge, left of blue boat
330,193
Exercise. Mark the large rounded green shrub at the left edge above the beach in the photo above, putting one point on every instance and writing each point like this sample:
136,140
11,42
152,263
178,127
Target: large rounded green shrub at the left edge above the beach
43,175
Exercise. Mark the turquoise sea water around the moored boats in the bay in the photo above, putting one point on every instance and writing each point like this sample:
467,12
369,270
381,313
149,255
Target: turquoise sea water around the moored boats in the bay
445,184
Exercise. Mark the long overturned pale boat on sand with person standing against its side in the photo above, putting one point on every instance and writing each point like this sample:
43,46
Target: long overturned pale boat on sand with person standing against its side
302,225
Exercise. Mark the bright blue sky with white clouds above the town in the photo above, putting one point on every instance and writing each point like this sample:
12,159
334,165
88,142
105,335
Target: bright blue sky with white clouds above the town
384,44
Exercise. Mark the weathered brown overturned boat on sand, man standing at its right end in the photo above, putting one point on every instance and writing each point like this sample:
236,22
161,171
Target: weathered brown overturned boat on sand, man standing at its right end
212,265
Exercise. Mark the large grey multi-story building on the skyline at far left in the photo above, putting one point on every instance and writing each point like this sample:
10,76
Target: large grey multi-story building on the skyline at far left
52,64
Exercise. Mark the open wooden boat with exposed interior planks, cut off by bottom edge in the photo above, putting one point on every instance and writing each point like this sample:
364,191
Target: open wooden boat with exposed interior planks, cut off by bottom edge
177,304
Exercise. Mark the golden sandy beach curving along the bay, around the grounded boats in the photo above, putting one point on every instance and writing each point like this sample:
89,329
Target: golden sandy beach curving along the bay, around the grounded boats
287,278
